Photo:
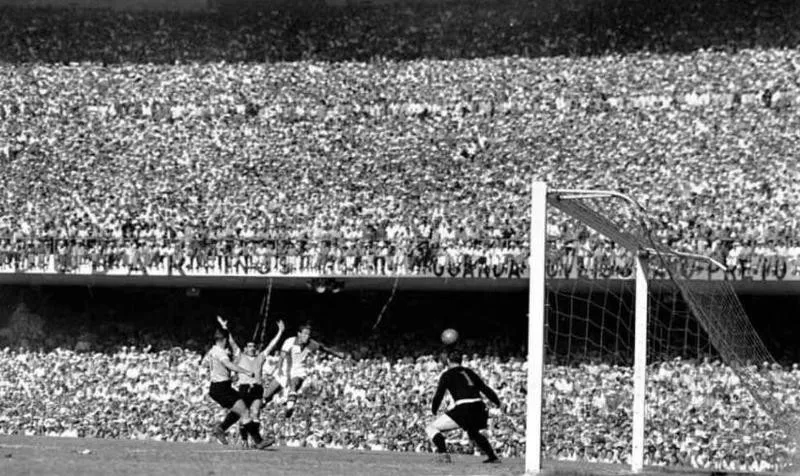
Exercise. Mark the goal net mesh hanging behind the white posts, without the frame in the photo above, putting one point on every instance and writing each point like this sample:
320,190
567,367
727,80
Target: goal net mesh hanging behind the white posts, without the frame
692,327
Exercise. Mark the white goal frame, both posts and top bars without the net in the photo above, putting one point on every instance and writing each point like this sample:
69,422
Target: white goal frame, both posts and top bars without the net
537,303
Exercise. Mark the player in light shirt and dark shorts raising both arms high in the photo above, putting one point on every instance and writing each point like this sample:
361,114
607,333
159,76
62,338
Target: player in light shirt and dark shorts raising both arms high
251,389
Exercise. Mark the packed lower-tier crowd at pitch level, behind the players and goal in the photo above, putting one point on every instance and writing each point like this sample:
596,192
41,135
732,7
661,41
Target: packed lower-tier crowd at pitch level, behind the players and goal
699,415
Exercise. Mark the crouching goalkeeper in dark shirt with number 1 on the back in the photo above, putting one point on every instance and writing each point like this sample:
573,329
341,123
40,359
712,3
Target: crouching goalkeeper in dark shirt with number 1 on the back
469,411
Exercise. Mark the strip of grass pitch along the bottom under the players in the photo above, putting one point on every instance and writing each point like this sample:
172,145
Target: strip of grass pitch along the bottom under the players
21,455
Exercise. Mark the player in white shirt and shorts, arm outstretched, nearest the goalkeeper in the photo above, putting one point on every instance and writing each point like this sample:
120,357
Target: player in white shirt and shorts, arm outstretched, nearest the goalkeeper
293,366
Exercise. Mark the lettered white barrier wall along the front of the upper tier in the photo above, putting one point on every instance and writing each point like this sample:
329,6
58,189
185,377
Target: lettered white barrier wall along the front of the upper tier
19,267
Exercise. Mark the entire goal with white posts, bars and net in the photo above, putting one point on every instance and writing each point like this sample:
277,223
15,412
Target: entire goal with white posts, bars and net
631,362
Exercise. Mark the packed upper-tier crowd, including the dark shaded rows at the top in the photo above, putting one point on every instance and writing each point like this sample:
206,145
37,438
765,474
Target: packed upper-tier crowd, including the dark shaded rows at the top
151,139
